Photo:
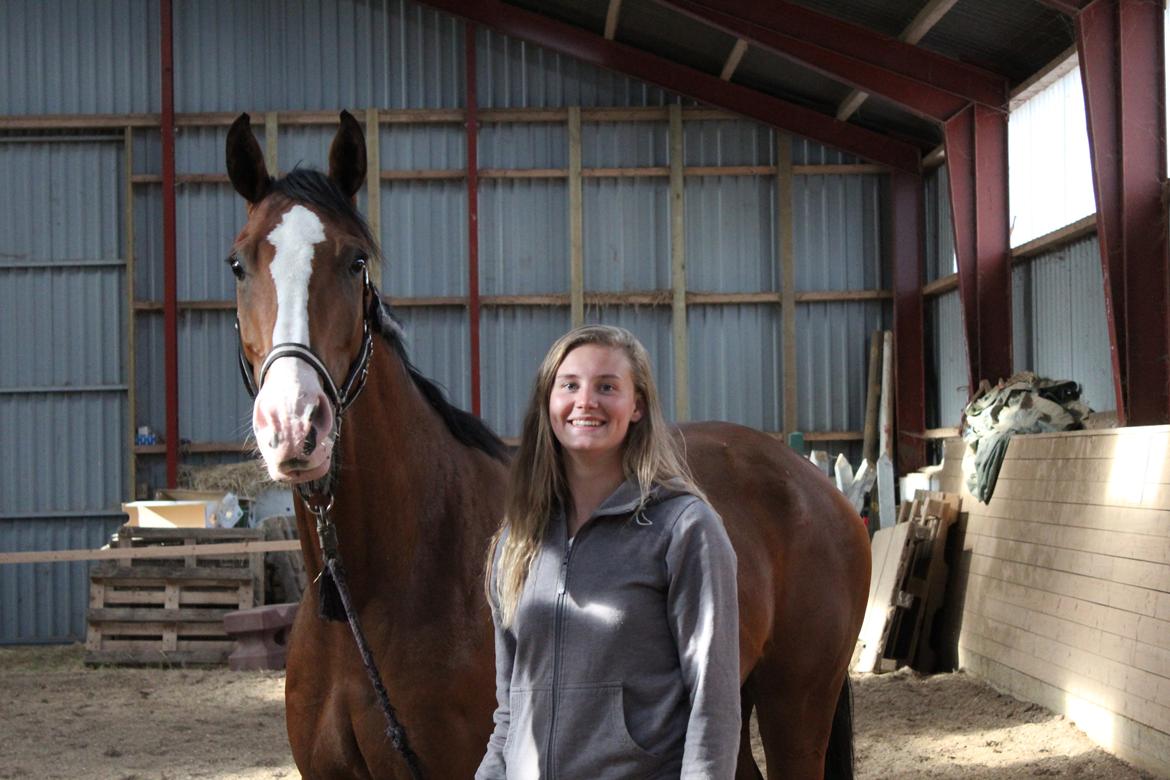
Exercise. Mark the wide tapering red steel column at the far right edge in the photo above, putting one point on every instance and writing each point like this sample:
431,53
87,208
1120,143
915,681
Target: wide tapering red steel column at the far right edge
1120,45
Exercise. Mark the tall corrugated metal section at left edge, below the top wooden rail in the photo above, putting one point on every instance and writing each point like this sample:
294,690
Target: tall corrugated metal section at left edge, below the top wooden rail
64,382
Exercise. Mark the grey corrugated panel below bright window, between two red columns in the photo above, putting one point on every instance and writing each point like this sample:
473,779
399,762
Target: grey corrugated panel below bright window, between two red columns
1063,325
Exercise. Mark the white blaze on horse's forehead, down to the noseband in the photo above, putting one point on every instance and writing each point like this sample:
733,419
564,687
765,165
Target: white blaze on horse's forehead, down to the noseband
294,240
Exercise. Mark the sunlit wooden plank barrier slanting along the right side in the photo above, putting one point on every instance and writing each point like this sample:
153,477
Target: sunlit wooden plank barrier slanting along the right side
1066,575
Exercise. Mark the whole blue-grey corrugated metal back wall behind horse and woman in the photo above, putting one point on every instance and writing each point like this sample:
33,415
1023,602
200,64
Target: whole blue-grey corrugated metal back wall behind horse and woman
391,54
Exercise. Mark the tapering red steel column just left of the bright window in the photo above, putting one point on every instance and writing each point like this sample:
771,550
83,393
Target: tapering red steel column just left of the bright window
978,168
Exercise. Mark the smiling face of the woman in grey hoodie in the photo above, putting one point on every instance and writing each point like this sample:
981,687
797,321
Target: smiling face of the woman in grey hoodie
593,402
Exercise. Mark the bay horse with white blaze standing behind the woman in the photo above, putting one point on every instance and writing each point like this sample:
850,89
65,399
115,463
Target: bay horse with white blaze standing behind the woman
418,489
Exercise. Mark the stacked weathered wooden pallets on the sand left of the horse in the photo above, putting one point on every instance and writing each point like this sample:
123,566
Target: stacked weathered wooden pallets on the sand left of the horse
170,611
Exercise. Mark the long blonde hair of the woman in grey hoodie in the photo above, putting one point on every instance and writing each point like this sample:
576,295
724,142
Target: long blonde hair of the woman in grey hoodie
538,486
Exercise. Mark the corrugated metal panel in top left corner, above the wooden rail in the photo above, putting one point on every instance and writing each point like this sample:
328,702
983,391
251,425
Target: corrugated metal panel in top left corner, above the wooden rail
80,57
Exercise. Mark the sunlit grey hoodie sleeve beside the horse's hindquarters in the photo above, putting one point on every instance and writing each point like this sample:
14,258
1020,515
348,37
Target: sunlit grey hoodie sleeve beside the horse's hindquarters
705,617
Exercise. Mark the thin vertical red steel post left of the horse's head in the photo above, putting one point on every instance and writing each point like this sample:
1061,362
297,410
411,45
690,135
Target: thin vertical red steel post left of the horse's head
170,274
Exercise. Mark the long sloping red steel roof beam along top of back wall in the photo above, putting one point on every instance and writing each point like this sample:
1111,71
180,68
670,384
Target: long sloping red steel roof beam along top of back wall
596,50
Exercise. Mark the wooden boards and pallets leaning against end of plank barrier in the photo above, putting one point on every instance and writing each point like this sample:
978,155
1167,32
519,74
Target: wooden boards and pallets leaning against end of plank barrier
907,586
